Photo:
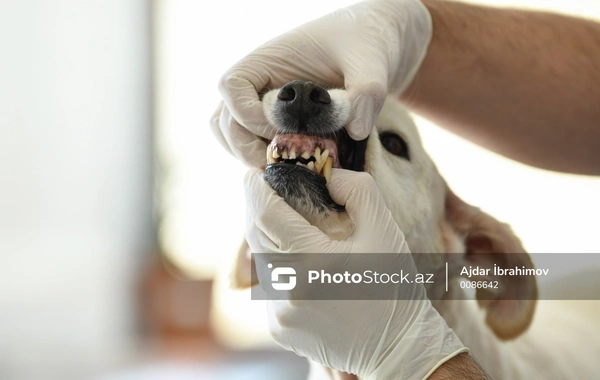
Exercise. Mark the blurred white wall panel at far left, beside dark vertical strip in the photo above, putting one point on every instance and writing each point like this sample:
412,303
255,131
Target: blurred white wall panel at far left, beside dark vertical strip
75,181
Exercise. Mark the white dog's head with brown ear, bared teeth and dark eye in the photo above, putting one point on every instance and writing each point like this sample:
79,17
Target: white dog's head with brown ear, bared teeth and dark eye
312,139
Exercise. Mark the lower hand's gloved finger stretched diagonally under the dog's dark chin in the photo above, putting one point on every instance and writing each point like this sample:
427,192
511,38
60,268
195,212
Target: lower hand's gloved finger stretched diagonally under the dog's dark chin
280,223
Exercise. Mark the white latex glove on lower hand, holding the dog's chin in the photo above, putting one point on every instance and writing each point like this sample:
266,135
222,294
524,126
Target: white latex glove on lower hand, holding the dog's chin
400,338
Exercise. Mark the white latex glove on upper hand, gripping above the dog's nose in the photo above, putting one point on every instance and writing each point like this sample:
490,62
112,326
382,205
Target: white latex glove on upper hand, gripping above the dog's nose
371,49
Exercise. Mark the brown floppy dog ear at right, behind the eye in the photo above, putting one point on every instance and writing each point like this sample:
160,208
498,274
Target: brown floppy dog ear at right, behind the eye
488,242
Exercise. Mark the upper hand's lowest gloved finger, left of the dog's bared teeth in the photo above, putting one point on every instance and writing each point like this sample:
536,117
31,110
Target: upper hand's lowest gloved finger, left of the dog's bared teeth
239,141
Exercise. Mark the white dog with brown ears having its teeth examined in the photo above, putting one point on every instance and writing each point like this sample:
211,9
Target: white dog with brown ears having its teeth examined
511,339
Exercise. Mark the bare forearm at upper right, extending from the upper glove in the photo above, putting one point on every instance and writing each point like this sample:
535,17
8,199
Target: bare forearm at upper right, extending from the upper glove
523,84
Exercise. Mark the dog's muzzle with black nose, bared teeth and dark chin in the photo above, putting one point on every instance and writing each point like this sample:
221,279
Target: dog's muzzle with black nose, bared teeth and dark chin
311,140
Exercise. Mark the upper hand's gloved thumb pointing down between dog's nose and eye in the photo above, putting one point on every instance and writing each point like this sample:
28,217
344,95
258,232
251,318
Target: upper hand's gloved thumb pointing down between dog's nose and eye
367,98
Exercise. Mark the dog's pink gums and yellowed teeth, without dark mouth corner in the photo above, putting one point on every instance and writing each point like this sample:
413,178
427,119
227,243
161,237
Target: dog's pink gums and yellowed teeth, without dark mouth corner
316,154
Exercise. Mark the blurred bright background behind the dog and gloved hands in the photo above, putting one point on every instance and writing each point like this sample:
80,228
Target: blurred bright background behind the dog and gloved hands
120,214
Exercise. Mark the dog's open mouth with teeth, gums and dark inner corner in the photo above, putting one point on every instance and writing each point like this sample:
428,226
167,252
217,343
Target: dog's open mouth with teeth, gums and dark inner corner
318,154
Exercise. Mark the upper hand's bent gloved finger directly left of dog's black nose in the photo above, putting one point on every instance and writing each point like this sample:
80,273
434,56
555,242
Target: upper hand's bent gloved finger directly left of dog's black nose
239,88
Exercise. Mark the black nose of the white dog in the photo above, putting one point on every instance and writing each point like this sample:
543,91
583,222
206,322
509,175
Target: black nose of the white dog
303,100
